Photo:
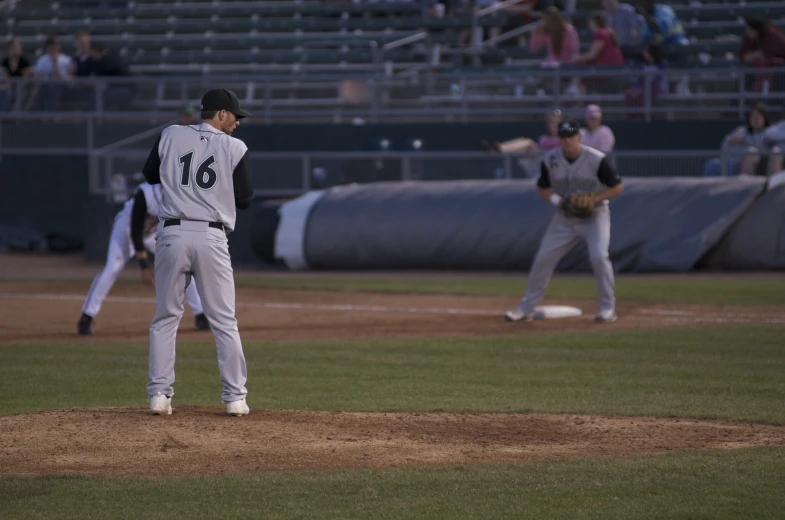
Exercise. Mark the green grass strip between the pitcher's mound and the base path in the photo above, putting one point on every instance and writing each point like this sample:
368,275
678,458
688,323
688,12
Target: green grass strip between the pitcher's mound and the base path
729,372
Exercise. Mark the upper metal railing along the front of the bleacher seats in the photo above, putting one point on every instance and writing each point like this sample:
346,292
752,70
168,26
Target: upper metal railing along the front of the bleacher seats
420,96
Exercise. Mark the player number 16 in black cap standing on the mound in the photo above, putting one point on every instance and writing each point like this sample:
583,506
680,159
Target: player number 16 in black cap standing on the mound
204,173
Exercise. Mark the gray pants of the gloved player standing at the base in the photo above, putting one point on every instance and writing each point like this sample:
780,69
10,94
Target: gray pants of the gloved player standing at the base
562,235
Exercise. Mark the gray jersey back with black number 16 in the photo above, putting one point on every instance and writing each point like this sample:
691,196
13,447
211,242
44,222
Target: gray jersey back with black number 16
197,165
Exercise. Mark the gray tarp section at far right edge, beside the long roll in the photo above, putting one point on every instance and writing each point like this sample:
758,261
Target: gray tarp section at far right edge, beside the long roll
757,240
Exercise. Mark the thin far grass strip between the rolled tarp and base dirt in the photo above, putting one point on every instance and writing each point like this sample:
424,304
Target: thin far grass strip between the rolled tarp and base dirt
708,290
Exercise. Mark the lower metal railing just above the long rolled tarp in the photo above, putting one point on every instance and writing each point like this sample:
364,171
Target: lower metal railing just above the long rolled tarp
289,174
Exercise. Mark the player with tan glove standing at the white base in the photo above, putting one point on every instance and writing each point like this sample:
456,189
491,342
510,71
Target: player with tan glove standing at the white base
579,181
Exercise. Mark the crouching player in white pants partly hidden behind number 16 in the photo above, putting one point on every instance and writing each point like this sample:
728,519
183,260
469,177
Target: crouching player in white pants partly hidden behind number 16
132,236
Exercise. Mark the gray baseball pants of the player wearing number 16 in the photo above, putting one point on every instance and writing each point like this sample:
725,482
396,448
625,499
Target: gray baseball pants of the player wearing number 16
194,249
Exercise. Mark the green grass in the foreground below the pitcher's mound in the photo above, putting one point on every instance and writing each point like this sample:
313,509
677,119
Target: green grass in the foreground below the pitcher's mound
735,484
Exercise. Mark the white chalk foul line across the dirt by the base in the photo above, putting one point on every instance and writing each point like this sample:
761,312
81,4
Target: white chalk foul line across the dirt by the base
673,316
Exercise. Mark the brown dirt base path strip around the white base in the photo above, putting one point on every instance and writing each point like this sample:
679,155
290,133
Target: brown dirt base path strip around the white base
48,311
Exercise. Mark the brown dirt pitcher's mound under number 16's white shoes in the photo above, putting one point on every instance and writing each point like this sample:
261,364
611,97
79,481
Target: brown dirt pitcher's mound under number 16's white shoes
128,441
